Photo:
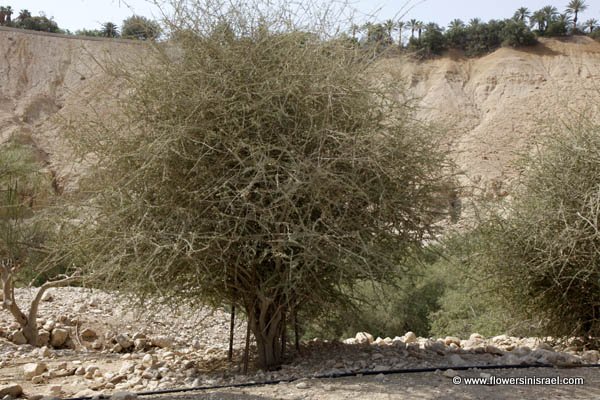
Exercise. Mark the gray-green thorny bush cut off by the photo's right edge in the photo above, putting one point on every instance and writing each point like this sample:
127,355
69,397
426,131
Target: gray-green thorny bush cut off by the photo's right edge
546,252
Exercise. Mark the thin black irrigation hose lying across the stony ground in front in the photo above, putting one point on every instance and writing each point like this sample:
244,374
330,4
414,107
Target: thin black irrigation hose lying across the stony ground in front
342,375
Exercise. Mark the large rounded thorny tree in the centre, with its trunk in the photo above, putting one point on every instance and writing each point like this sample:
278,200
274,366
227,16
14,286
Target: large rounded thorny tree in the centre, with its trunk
262,167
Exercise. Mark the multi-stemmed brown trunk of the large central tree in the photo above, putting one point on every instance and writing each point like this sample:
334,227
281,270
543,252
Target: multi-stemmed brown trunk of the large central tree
267,324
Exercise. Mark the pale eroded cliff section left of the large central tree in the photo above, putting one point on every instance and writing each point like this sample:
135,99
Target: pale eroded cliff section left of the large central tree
47,80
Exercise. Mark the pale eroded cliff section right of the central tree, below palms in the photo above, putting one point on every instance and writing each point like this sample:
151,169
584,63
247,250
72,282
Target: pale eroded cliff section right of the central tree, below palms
498,106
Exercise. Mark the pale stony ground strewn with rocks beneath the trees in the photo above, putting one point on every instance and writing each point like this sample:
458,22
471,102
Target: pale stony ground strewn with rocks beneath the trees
95,343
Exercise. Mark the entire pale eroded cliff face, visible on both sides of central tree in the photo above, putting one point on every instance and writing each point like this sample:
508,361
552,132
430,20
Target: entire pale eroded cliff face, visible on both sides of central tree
493,107
